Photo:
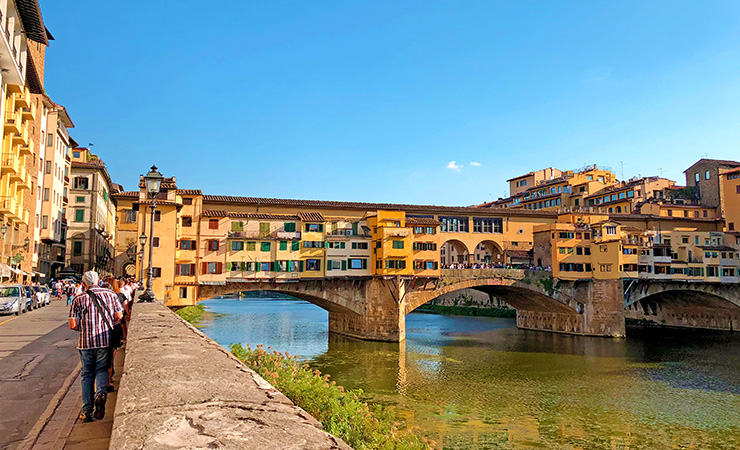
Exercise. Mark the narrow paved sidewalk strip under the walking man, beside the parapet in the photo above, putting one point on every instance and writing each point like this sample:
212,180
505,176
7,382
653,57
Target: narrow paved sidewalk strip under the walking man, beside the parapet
64,431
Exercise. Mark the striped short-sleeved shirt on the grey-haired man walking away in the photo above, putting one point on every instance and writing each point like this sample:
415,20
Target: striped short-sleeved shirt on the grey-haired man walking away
93,330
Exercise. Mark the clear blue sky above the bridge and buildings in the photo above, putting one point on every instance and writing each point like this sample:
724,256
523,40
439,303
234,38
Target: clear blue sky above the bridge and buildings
371,101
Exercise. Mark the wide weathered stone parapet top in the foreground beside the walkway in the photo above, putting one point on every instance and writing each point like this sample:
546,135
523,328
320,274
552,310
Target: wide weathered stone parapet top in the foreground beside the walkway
180,389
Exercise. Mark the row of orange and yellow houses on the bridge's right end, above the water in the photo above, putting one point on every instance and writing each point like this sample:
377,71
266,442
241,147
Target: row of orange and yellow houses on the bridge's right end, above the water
598,247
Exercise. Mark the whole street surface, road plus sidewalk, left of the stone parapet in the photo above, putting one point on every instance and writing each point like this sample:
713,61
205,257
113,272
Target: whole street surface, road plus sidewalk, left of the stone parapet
40,386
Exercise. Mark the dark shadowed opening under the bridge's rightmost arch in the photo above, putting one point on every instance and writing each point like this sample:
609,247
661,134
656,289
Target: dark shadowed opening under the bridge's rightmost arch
684,309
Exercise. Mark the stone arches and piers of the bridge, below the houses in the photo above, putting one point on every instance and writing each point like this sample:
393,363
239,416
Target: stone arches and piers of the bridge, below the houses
375,308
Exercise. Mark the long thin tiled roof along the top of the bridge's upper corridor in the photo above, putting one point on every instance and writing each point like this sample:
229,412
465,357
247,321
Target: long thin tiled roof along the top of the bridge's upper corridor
367,206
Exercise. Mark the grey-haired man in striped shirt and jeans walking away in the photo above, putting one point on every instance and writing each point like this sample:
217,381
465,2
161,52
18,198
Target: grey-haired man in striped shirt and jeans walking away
93,313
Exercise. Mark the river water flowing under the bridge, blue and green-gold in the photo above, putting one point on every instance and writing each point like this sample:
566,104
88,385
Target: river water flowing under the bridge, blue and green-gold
481,383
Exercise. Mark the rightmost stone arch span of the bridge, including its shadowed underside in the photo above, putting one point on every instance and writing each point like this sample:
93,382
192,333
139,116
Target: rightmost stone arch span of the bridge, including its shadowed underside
683,304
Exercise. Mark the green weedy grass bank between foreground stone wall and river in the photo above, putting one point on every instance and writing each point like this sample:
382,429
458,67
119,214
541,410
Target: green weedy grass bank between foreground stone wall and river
341,412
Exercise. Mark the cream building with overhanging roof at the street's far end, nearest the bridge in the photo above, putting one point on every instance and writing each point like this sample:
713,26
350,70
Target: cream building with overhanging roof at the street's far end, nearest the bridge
92,211
